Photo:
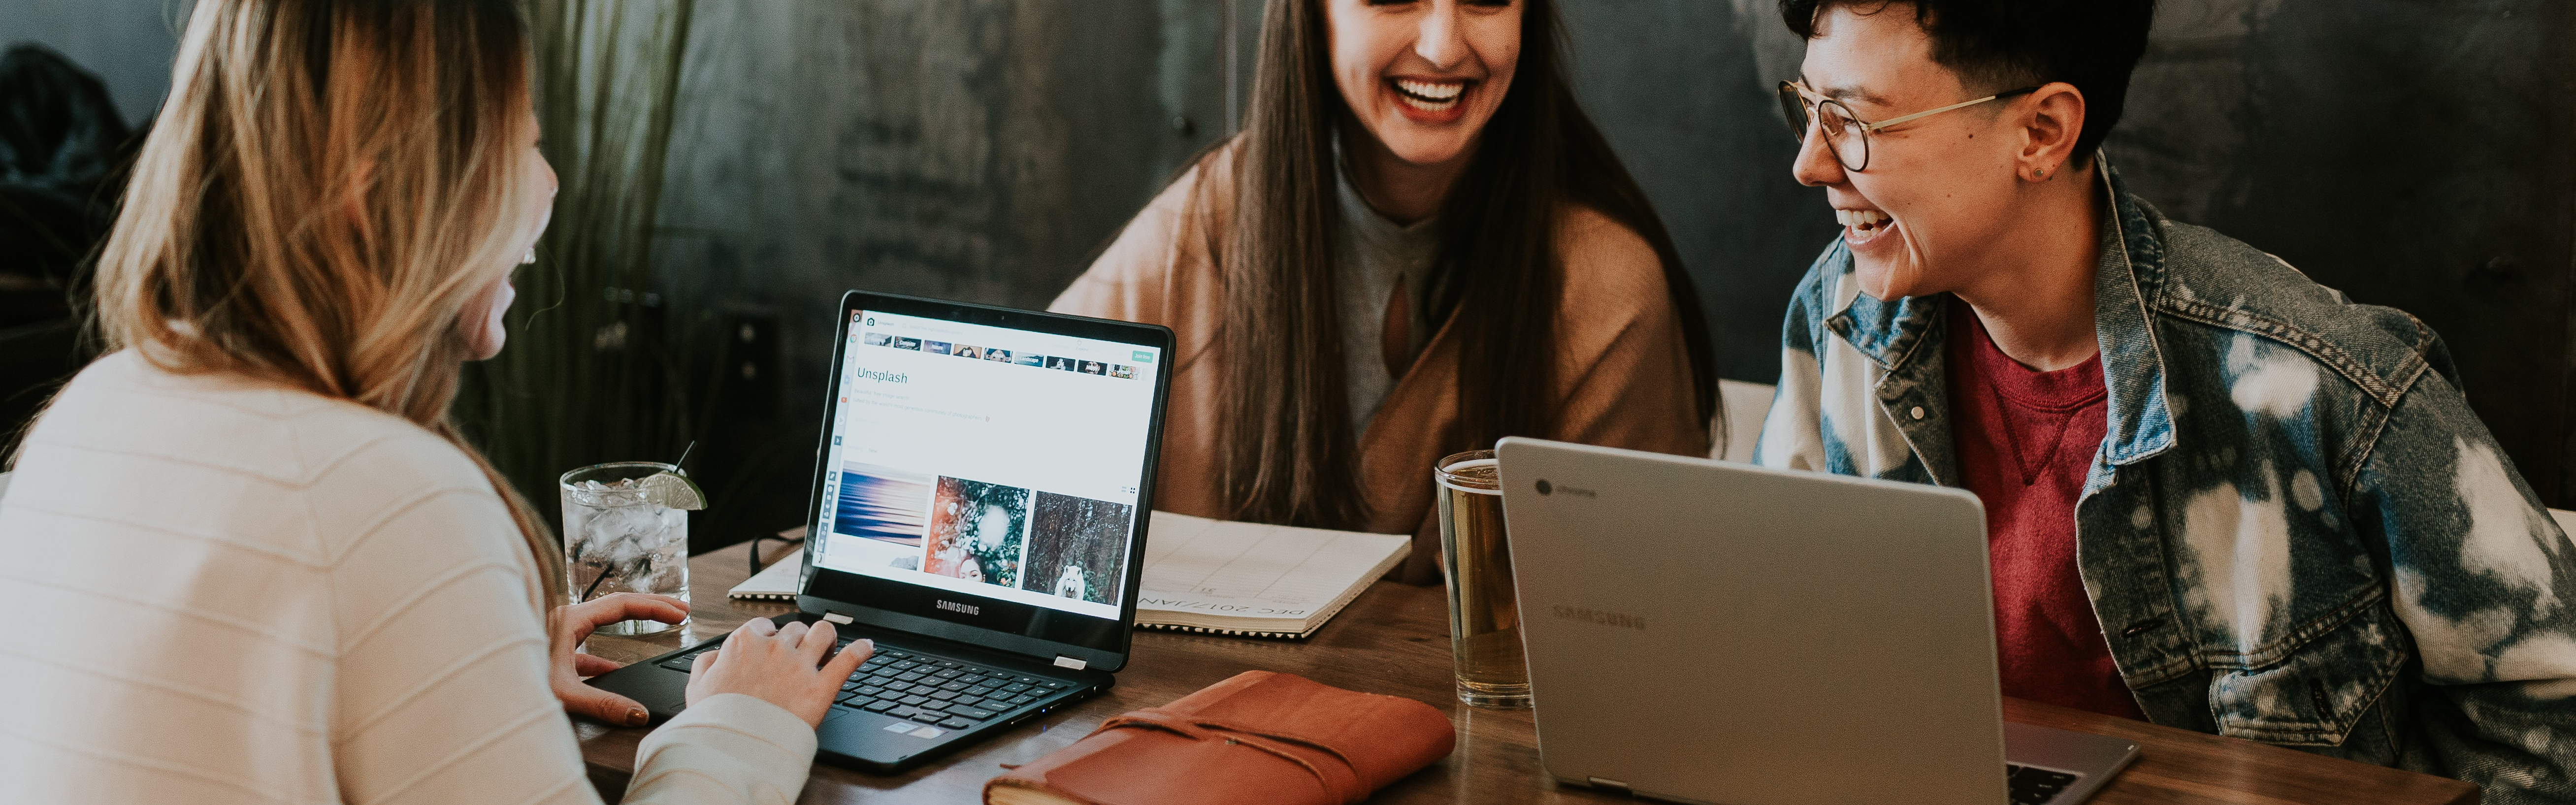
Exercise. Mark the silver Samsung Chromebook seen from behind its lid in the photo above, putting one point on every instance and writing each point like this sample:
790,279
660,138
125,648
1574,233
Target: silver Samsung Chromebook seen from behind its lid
1725,634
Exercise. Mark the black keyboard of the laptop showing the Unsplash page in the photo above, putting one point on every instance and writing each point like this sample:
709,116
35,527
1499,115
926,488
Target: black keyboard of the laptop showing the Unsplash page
929,688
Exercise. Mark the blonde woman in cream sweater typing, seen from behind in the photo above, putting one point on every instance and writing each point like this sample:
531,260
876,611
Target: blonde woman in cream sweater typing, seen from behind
249,554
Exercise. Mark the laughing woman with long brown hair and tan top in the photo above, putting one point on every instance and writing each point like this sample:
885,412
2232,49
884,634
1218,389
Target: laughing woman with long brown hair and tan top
1418,246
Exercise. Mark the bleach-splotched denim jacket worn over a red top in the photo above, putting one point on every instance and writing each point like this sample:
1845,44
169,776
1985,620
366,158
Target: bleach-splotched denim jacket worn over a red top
2294,531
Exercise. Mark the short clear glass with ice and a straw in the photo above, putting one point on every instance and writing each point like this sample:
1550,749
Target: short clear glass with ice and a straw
617,539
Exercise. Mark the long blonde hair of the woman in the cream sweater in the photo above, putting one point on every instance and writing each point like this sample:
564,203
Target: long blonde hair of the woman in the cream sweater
323,194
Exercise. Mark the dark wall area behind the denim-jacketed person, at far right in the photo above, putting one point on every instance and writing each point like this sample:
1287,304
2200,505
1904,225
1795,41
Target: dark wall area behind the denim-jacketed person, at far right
2407,153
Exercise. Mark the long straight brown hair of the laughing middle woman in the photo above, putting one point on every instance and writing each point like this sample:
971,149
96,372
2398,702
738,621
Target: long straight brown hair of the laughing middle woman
1289,428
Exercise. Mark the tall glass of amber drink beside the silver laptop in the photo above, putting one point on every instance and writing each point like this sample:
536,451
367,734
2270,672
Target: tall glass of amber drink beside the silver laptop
1477,559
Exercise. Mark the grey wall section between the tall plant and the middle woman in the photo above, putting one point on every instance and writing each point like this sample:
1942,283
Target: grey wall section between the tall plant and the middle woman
944,148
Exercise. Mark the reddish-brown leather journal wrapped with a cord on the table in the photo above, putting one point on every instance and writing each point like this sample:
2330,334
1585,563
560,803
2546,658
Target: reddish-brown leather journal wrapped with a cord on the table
1251,739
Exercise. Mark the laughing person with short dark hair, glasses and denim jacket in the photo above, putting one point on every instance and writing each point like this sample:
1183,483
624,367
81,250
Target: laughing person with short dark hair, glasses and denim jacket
2219,495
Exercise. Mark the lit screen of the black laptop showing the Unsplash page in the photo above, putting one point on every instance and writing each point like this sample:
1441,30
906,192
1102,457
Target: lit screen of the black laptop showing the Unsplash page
988,462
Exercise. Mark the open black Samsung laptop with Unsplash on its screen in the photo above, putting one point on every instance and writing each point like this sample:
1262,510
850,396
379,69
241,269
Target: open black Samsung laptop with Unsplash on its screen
980,508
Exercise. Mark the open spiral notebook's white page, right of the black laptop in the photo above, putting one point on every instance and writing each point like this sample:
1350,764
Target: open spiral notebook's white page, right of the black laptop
1256,580
